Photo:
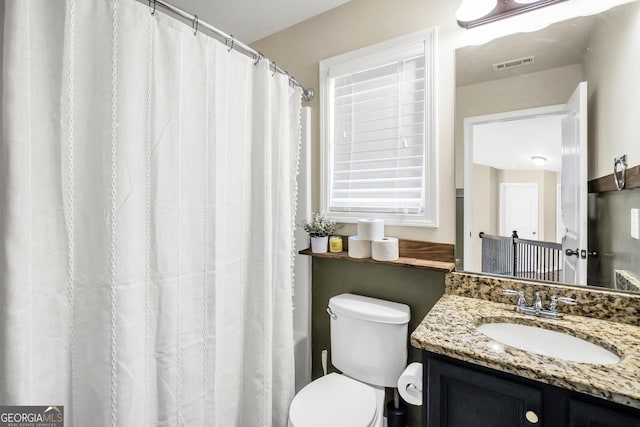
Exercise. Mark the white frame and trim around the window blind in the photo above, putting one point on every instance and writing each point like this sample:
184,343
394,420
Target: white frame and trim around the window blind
359,59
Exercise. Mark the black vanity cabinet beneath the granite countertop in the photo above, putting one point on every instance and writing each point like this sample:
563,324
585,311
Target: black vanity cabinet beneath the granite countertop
459,394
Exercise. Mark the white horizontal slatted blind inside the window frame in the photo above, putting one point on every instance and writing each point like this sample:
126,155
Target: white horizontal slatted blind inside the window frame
378,139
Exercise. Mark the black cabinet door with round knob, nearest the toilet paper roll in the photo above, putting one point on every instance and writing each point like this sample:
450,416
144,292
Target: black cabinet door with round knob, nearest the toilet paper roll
461,397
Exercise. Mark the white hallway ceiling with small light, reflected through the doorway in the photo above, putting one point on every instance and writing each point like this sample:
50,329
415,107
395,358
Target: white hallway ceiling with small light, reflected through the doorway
509,145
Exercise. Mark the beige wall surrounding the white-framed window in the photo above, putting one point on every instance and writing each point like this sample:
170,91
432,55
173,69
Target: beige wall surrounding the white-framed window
361,23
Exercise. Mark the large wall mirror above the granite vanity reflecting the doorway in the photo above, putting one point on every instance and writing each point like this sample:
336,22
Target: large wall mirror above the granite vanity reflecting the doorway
540,117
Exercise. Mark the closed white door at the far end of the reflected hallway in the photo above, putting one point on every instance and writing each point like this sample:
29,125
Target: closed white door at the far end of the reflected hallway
519,210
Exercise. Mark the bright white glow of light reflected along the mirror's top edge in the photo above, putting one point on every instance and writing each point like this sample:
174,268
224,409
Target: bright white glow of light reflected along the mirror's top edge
535,20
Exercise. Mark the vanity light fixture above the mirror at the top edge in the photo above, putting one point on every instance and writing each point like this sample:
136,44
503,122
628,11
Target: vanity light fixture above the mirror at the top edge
472,13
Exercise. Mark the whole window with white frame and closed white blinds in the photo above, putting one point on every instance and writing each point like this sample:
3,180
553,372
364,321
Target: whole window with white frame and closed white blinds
378,133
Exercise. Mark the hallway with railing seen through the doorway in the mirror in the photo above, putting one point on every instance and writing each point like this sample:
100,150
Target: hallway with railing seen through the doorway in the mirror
514,190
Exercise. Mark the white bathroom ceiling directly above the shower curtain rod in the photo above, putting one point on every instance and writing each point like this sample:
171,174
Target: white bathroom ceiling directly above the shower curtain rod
252,20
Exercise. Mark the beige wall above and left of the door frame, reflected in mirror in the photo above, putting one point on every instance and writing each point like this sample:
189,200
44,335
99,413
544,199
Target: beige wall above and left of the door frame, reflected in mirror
532,90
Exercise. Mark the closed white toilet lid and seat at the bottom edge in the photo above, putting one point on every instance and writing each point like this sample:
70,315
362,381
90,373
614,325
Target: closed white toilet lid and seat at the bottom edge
334,400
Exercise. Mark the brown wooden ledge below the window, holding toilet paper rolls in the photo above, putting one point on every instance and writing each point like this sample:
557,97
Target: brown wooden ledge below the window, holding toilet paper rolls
413,254
